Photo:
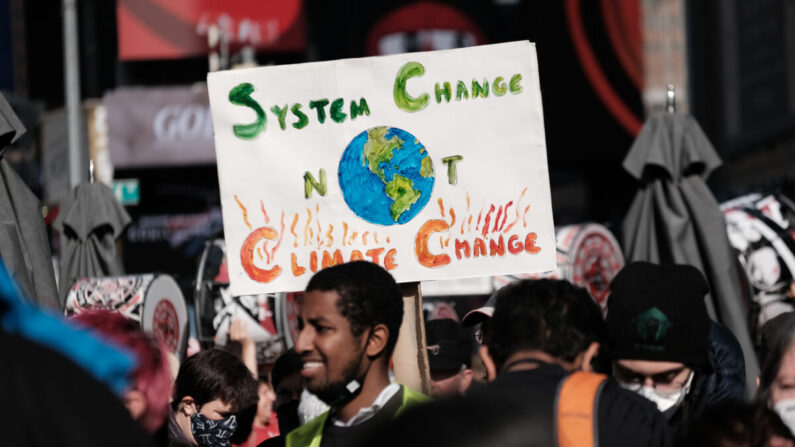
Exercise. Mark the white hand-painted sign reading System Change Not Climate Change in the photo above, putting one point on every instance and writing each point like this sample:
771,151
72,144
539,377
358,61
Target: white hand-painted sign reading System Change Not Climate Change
431,164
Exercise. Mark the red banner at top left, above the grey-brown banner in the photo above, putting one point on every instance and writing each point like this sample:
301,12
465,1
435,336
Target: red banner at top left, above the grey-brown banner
172,29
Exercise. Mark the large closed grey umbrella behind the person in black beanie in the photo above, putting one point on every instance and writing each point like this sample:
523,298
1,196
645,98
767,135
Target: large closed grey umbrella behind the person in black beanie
674,217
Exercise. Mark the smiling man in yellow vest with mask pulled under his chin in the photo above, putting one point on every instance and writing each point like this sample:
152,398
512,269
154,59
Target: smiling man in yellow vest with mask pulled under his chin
349,322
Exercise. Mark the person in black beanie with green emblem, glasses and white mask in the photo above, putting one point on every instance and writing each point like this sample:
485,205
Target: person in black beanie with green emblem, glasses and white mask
663,344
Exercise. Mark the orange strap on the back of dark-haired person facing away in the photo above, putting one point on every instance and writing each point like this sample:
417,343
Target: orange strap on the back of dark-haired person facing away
576,403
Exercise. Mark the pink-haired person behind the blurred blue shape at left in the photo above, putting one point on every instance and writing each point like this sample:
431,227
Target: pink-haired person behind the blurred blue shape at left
148,397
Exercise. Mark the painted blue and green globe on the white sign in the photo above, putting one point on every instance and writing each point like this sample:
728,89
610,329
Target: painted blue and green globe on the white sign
386,175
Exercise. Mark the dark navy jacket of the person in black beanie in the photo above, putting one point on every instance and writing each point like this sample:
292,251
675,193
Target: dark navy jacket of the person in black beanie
723,378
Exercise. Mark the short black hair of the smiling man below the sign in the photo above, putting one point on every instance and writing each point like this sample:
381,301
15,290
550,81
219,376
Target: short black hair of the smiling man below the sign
368,296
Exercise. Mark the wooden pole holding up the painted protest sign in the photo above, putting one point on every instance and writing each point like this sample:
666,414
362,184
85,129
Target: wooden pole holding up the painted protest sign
410,357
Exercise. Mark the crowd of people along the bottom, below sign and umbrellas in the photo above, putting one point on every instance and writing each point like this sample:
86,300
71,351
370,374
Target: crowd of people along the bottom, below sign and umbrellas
539,365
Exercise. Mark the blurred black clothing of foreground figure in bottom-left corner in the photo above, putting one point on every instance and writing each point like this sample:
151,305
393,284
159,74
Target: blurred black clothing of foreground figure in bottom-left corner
47,400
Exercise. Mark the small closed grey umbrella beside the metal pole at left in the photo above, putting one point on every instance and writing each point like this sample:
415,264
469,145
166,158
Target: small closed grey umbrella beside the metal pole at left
90,221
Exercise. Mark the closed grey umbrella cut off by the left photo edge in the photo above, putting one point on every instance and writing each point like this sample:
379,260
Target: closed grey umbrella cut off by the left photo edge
24,247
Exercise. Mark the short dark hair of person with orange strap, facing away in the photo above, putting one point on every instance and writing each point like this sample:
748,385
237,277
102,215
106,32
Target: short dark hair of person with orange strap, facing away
549,315
